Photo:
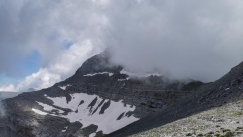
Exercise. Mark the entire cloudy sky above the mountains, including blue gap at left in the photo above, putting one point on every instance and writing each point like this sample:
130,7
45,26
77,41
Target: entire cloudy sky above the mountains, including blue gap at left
43,42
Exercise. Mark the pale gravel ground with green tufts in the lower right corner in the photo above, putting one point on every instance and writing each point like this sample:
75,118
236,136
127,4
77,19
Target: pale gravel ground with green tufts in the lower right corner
223,121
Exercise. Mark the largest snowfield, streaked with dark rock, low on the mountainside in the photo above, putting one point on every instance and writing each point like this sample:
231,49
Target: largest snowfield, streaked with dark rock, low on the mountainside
108,115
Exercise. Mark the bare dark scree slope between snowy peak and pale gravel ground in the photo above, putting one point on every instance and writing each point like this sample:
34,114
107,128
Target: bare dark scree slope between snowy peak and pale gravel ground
213,95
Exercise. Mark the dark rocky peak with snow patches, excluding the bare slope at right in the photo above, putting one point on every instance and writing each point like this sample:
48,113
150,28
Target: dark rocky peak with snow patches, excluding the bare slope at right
97,100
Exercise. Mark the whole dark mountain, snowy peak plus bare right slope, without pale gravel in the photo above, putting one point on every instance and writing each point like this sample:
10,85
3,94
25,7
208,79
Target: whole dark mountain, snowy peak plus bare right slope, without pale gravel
103,99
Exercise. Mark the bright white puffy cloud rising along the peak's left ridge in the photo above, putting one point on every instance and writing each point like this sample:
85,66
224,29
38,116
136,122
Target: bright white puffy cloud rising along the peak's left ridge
59,69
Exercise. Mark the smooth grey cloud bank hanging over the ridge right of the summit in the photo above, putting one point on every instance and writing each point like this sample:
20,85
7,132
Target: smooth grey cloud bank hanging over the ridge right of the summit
180,39
